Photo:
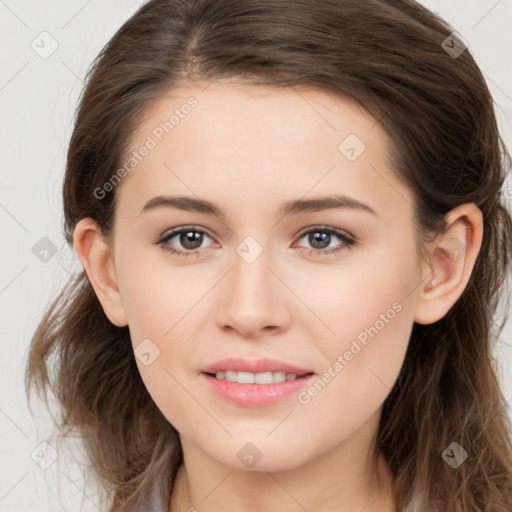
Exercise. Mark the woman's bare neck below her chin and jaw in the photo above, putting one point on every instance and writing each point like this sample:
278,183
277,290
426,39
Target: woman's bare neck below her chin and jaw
346,478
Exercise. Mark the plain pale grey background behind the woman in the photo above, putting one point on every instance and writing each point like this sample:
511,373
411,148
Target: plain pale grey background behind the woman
38,96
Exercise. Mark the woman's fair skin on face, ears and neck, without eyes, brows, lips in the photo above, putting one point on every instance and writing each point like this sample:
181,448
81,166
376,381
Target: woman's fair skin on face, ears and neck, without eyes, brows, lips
248,150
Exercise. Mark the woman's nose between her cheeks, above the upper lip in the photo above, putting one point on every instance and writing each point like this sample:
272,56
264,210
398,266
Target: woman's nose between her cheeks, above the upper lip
254,298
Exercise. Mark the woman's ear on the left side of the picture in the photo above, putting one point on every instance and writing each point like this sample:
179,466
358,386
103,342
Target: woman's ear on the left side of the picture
97,259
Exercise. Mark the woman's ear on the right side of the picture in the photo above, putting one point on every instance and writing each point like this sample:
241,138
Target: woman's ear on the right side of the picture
451,259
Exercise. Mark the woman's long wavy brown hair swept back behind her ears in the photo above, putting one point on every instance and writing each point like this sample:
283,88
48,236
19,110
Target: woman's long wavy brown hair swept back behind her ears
387,55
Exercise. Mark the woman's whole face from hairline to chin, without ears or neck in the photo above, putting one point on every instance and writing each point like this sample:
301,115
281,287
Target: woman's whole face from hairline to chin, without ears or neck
328,291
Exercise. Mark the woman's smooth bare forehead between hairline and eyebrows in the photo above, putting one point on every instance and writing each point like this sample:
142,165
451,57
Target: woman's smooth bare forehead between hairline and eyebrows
259,141
